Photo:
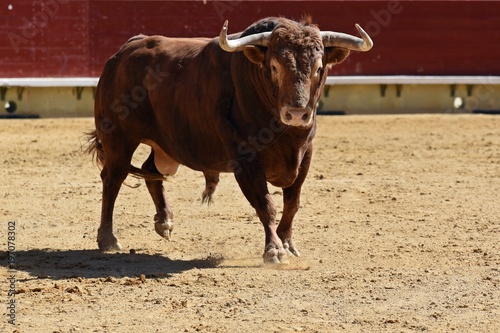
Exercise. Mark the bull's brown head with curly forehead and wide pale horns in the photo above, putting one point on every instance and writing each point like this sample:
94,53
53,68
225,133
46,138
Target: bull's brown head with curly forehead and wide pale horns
296,57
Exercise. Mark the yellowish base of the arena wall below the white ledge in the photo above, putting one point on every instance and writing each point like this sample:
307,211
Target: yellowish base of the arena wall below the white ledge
348,97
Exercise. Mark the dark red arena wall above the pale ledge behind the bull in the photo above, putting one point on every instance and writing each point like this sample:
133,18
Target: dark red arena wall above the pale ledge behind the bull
62,38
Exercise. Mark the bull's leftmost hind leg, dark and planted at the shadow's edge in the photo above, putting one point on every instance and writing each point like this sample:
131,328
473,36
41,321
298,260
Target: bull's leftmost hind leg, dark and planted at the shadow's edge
117,158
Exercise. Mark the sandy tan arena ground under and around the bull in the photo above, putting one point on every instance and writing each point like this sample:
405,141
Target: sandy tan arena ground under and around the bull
399,232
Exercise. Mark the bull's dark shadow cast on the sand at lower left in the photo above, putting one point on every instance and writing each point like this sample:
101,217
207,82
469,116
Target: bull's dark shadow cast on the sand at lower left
56,264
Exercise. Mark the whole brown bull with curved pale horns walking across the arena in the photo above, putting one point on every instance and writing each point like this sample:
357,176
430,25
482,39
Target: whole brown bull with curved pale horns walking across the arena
243,103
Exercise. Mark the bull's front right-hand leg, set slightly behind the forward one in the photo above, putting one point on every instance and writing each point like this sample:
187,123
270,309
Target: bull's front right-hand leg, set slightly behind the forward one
291,203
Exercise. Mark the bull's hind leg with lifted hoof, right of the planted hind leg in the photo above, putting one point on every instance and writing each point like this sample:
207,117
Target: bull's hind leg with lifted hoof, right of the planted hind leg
164,218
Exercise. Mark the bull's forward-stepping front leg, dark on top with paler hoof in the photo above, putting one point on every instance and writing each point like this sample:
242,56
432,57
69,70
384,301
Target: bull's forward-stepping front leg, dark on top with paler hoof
252,181
